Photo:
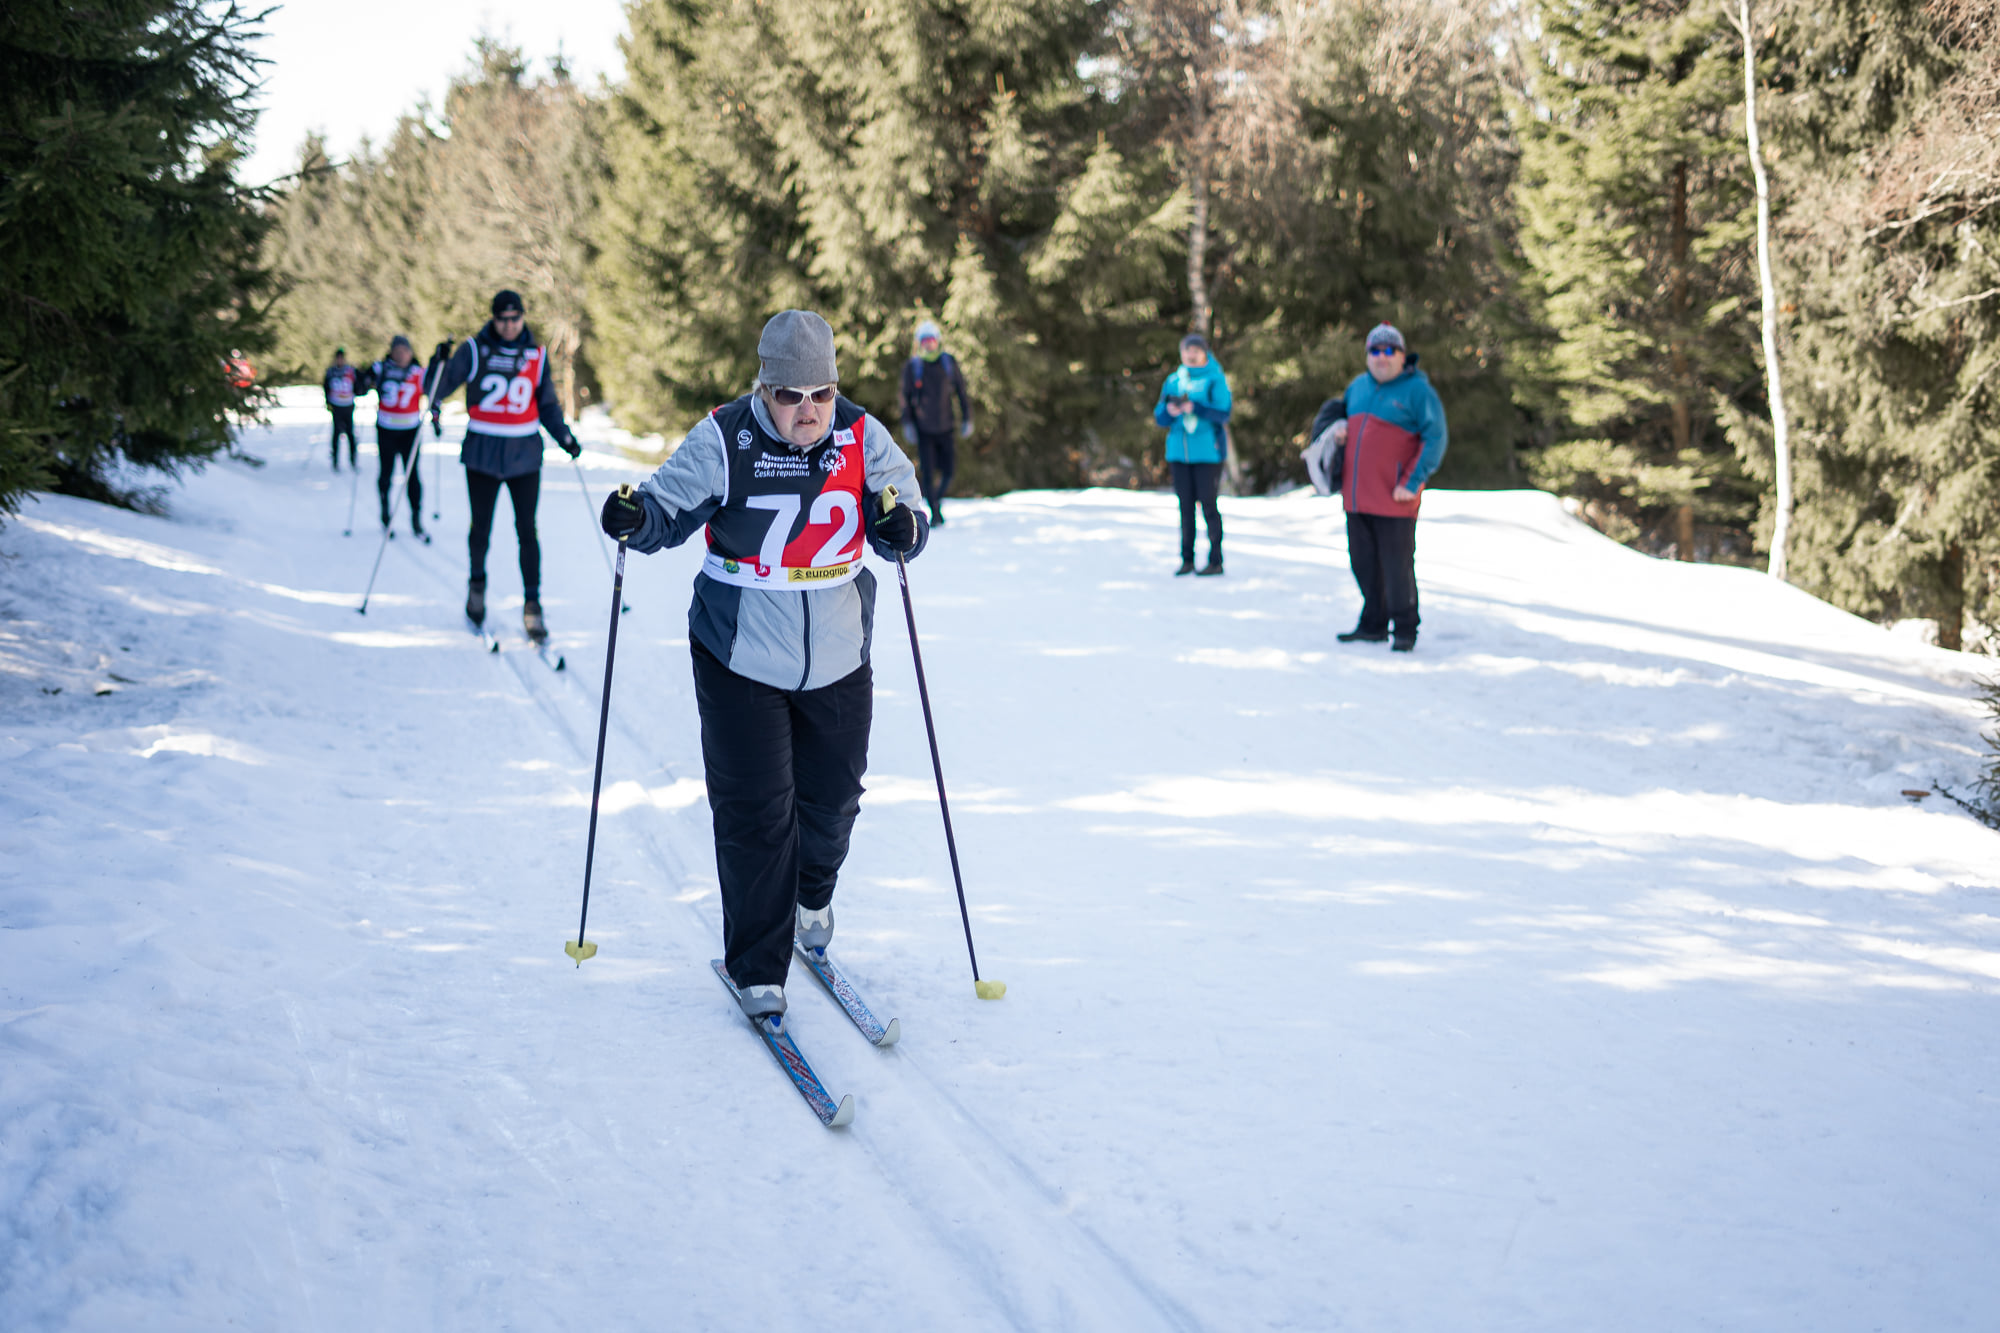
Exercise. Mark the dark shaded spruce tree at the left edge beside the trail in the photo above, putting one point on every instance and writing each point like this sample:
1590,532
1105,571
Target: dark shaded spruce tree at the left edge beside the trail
129,253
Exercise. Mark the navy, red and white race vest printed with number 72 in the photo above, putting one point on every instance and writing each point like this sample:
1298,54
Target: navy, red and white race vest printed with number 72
791,519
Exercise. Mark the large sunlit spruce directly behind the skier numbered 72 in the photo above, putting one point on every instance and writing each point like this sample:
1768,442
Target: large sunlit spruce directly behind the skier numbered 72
879,161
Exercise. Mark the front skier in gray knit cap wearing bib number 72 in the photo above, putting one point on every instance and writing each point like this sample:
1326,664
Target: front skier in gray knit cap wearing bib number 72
789,483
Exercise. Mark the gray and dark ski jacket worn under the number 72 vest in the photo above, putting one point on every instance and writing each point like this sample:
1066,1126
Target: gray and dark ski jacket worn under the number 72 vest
787,639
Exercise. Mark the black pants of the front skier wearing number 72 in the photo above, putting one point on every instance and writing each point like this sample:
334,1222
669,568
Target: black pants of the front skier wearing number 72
785,784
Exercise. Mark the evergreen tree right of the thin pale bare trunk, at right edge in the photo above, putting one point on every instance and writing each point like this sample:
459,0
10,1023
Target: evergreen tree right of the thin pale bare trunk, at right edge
1891,145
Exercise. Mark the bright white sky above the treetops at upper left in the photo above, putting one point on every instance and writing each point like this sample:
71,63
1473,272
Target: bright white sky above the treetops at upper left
351,69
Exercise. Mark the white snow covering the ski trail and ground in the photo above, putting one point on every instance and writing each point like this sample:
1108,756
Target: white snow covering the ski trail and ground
1583,970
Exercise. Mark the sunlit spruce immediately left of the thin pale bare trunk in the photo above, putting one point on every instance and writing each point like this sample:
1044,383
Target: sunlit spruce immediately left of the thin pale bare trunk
1637,225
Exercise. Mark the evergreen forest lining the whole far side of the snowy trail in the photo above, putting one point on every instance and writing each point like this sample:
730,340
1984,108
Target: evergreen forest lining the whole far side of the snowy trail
1557,201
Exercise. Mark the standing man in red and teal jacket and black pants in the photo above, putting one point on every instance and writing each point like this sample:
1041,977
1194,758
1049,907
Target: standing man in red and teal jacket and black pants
1391,429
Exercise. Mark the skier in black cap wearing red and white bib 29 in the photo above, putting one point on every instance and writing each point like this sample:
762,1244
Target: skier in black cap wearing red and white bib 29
511,399
